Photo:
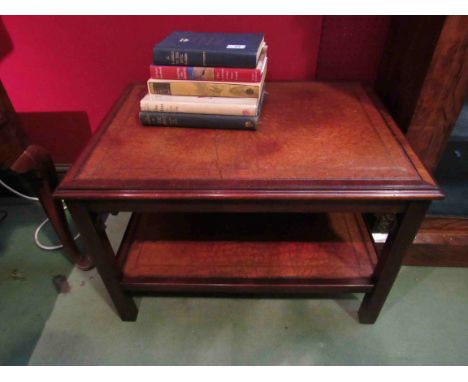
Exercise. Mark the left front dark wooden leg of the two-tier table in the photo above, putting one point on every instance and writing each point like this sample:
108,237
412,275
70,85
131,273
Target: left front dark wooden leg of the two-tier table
99,247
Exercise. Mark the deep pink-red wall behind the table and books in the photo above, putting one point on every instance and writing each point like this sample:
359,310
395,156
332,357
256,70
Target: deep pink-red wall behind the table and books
66,71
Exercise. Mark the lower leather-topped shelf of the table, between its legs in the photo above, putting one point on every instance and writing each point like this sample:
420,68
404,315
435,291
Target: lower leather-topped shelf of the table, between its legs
247,253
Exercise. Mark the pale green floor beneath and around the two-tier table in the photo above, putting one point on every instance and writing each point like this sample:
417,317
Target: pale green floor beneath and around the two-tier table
425,320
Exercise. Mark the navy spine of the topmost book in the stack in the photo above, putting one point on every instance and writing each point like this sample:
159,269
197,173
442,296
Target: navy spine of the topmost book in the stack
165,56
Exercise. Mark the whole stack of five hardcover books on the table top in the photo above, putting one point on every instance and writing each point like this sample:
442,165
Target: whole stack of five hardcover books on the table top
208,80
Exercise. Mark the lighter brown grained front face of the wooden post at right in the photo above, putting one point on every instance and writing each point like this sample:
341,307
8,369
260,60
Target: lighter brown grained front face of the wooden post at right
442,94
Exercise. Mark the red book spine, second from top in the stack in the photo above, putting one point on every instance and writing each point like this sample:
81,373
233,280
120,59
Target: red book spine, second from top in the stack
160,72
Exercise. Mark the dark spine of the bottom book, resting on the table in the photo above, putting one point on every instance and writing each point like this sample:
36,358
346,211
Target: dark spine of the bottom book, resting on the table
209,121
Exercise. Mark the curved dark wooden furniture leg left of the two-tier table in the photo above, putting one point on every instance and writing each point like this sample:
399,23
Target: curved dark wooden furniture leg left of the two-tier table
37,165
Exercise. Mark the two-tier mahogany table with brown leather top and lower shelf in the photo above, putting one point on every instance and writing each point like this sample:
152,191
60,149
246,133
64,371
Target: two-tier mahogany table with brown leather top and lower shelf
277,211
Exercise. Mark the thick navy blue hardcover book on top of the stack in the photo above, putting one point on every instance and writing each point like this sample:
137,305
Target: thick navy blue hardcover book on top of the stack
230,50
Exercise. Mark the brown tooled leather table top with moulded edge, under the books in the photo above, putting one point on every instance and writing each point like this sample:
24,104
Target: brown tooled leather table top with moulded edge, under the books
311,135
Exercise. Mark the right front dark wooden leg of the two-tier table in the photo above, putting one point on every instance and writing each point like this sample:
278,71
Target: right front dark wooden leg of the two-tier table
390,260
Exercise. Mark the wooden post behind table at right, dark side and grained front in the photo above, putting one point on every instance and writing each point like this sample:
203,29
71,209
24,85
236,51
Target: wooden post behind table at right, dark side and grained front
423,79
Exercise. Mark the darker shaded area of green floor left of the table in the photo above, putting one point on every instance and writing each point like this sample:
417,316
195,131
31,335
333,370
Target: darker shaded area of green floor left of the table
27,295
